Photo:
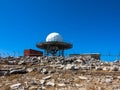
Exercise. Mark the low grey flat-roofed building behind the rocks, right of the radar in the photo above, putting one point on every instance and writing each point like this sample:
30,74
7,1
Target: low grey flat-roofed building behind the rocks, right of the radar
92,55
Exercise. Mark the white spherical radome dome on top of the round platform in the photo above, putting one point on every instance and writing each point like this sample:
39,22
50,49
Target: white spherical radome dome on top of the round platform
54,37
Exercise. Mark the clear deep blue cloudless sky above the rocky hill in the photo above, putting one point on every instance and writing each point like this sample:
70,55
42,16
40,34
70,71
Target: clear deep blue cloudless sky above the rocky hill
93,26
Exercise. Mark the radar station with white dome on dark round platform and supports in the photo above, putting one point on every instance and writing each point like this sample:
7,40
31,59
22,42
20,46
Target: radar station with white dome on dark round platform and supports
54,45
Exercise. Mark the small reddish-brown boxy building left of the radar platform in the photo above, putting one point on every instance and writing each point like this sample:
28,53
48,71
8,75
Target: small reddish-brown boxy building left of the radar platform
31,52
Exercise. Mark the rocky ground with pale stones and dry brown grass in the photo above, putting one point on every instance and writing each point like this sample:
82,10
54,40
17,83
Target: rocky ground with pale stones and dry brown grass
58,73
